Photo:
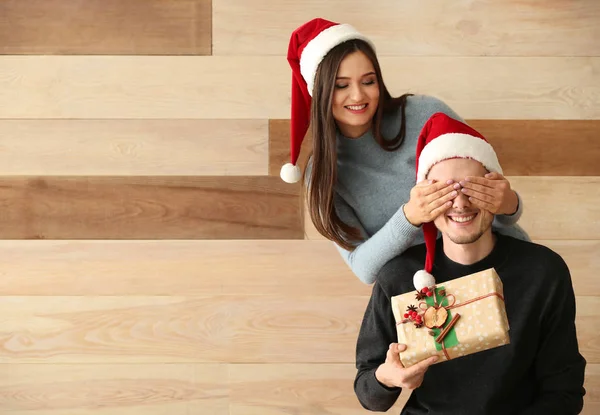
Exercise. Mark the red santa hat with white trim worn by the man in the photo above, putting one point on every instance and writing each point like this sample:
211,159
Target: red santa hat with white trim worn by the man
442,138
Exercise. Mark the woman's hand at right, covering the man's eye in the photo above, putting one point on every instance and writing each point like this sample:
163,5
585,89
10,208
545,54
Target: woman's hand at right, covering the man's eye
492,193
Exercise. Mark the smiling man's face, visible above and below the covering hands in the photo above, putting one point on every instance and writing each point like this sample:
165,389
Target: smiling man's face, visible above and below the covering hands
463,223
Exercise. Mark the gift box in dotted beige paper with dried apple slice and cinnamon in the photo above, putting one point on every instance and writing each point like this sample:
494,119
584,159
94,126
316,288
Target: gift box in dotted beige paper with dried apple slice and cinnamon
452,319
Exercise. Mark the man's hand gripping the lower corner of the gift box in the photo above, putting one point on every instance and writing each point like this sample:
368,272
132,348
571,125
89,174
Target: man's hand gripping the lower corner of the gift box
394,375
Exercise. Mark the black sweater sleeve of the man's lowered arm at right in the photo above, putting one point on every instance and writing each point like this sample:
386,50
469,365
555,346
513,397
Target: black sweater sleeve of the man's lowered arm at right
559,367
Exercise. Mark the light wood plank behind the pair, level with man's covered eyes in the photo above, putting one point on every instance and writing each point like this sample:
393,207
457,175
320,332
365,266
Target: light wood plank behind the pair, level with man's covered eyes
558,208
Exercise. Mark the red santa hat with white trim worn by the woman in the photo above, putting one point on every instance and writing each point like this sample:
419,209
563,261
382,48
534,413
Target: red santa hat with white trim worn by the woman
309,44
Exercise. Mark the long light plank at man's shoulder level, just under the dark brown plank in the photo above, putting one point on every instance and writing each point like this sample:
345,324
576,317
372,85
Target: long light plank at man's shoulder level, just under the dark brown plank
237,267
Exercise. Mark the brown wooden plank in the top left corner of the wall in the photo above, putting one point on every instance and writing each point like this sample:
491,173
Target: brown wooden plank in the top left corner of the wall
105,27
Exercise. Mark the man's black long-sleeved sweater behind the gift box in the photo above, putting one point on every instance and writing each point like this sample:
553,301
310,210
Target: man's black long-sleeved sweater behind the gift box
540,372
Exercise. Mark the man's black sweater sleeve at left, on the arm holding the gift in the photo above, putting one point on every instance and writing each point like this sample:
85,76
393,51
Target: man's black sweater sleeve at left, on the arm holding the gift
376,333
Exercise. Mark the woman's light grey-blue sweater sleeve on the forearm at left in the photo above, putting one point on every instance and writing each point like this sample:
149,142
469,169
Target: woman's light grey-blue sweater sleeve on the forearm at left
369,257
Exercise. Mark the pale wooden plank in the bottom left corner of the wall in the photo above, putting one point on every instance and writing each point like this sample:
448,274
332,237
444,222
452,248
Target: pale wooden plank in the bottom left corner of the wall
106,389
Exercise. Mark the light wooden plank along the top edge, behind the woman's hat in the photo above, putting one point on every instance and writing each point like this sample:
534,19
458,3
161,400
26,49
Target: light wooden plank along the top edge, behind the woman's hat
416,28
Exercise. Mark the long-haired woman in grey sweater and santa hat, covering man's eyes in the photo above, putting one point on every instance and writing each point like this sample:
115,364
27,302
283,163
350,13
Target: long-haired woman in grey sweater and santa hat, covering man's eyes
360,182
